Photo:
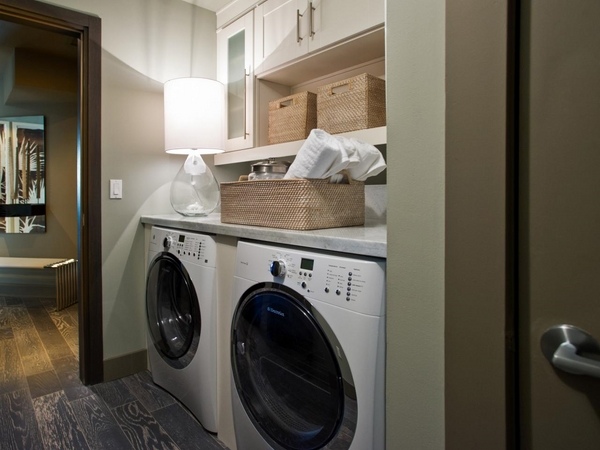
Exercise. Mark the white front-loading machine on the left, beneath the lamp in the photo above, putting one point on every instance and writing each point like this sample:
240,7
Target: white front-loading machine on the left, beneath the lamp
181,312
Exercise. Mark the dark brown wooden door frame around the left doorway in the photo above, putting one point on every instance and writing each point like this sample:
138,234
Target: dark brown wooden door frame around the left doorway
87,29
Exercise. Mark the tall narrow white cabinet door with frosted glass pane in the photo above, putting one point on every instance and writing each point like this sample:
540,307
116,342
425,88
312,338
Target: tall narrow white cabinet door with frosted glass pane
235,54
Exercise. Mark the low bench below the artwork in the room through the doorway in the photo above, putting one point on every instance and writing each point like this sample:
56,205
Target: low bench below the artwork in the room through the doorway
65,275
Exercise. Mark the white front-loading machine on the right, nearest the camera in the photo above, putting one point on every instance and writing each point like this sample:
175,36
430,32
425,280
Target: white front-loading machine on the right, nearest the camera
307,349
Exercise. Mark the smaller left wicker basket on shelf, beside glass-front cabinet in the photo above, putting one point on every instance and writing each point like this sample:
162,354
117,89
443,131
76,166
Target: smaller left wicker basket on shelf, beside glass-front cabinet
291,118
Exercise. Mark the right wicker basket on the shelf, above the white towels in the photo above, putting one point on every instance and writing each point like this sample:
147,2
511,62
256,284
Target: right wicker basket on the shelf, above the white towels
352,104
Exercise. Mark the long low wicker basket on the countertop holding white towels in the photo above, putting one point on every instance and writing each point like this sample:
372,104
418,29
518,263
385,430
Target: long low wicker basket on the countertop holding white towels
295,204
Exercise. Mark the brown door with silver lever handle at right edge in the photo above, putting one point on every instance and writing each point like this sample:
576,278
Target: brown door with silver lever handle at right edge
559,221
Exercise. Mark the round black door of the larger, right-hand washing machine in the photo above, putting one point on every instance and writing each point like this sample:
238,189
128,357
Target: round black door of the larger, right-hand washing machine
286,372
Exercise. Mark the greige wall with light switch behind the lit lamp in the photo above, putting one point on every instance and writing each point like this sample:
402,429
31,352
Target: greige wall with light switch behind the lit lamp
144,44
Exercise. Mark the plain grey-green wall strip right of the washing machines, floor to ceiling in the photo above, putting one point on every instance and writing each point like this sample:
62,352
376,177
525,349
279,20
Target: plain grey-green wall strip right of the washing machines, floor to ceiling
415,74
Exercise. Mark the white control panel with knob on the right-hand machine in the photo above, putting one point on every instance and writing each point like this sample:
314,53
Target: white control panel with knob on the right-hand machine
353,283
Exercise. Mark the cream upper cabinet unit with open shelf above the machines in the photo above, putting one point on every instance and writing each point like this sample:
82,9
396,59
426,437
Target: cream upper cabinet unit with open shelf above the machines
269,49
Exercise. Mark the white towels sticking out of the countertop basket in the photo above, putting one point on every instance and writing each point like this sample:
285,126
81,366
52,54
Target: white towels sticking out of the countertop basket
325,156
